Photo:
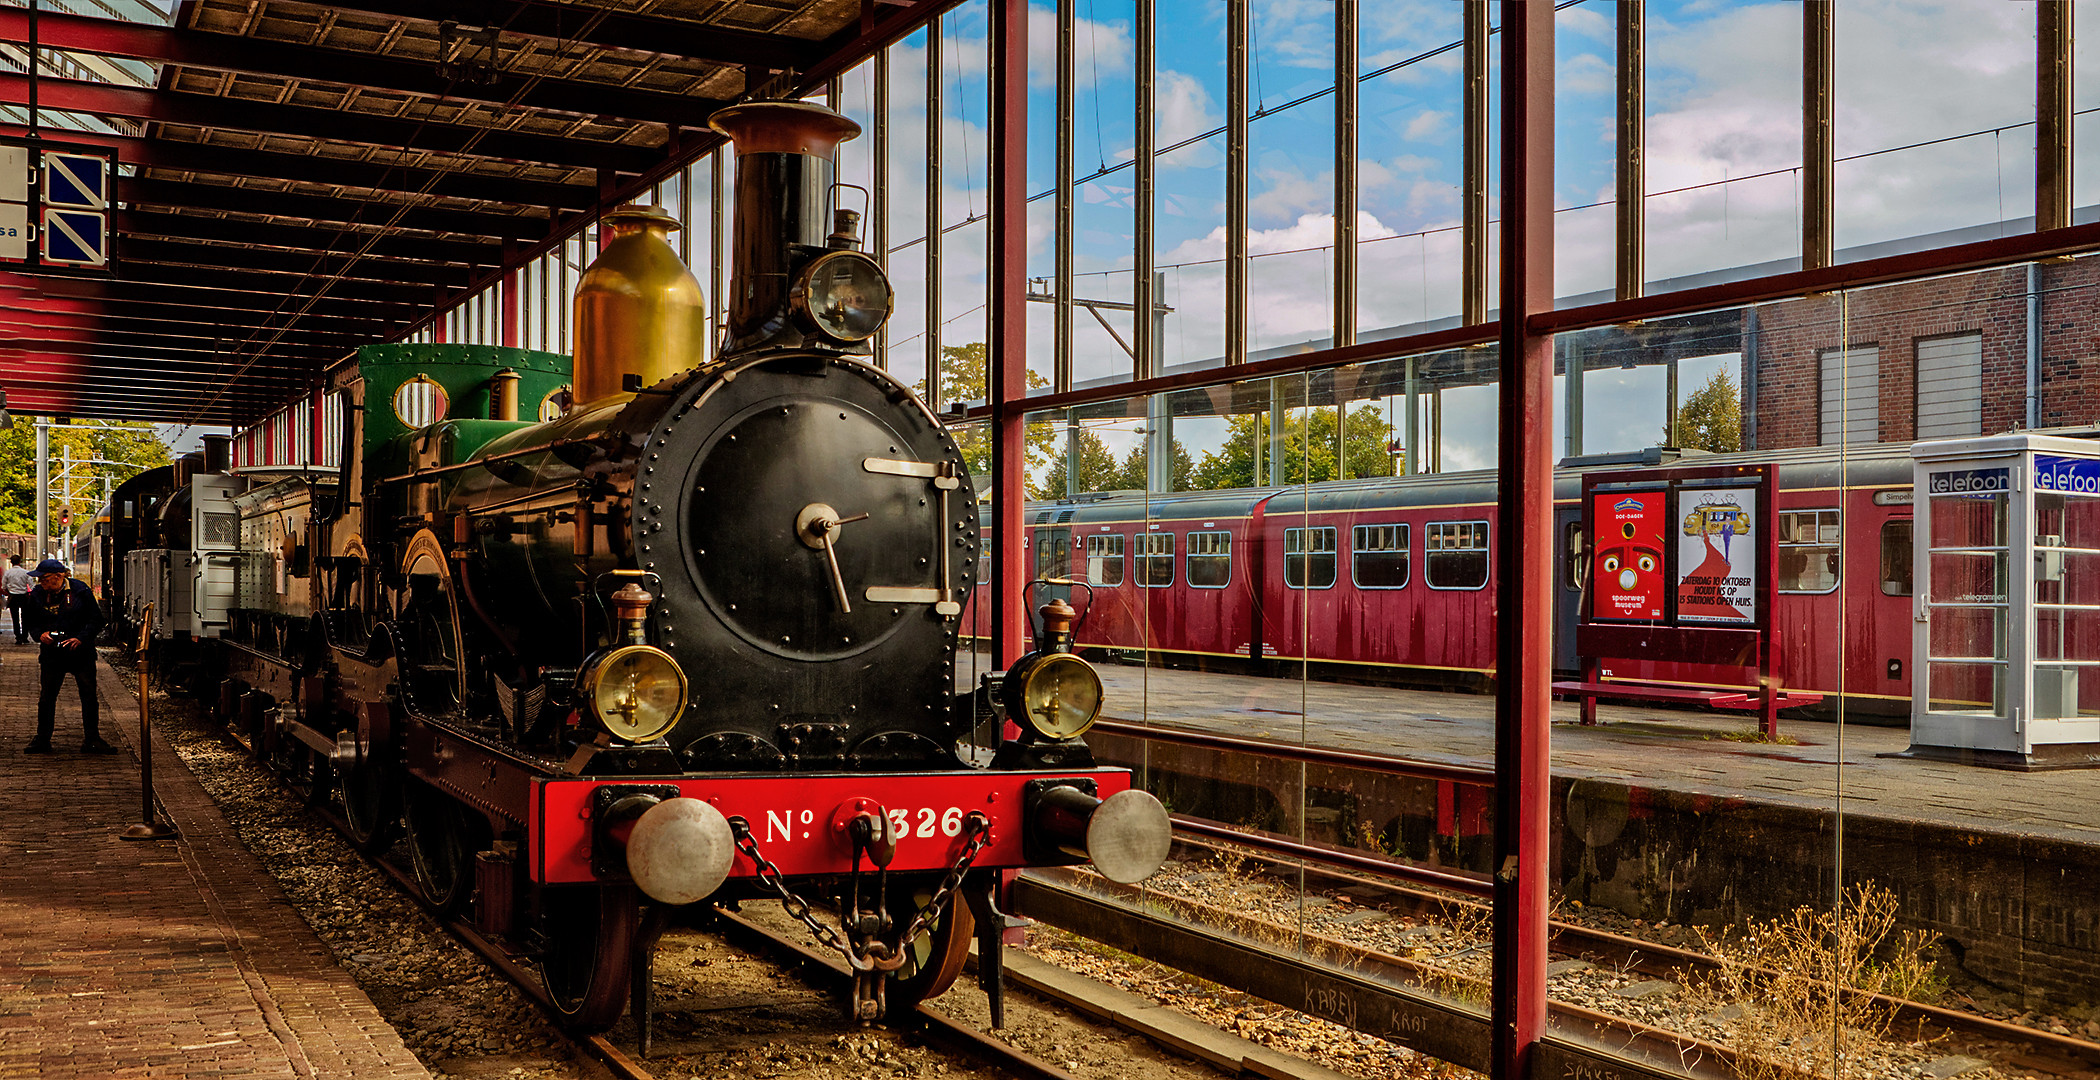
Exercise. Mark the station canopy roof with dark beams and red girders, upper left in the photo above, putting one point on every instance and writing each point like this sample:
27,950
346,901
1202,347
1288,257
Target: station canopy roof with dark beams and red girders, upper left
299,180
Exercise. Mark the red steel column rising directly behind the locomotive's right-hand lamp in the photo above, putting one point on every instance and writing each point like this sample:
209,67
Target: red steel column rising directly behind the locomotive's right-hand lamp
1009,320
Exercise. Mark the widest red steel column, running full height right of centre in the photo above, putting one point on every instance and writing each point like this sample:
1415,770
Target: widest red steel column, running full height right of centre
1526,520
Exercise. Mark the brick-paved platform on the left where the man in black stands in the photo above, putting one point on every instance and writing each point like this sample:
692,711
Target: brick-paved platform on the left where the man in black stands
152,959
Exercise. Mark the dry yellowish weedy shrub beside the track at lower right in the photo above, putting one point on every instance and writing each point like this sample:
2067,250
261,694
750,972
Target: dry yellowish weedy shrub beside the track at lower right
1803,980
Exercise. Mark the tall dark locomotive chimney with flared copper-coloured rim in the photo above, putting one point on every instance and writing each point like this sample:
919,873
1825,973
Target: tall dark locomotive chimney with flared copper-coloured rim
784,186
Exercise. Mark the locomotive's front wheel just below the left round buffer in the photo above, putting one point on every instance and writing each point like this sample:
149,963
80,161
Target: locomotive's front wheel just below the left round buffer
589,953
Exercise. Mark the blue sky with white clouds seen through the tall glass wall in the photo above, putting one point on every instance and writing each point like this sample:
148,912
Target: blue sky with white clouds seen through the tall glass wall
1723,167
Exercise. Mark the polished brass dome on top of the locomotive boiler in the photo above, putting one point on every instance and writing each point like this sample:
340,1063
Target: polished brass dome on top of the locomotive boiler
637,310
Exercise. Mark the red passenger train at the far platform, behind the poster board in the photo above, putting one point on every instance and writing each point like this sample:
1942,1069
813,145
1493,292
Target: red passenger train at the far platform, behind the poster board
1389,579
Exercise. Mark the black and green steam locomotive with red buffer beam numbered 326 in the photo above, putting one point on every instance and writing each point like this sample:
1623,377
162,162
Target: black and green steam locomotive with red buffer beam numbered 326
684,636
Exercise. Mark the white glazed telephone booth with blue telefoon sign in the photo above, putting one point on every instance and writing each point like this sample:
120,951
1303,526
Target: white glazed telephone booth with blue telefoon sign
2007,640
